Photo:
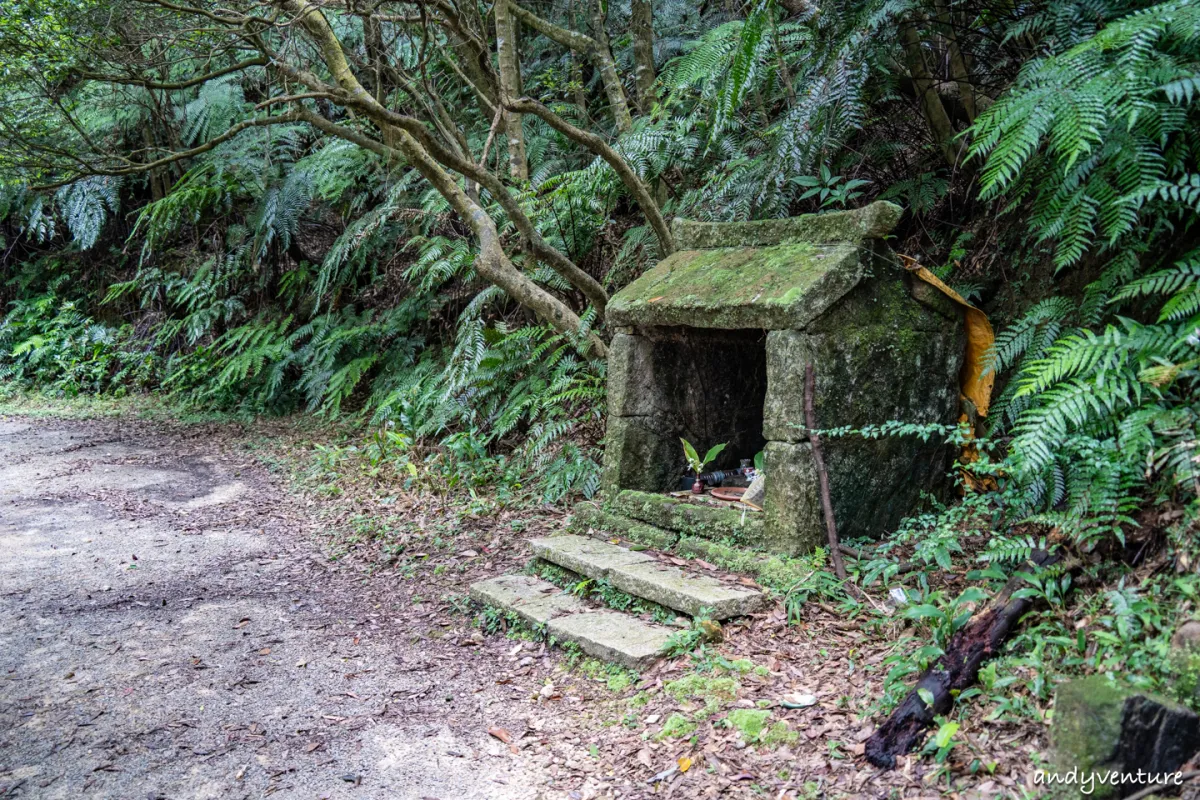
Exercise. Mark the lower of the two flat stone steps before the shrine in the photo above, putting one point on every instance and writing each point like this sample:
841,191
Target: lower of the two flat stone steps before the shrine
607,635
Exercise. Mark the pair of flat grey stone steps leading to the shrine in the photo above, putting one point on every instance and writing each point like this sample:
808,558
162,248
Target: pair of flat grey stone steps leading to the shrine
605,634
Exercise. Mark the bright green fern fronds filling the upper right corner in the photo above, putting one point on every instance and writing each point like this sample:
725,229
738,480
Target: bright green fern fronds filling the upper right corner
1095,135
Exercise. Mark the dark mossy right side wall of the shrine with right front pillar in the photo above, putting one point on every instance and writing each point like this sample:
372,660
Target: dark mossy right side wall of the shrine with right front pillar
878,357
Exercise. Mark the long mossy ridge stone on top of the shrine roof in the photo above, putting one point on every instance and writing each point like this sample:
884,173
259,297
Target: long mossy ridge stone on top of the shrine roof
874,221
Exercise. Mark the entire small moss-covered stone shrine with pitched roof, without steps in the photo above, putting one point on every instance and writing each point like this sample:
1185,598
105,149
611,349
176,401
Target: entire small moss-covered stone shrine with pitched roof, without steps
693,362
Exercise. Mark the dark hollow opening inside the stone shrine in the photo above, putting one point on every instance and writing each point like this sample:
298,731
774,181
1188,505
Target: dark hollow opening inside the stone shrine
711,387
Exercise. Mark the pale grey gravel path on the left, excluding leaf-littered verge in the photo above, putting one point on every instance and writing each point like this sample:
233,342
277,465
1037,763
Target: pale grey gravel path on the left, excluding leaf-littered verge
165,633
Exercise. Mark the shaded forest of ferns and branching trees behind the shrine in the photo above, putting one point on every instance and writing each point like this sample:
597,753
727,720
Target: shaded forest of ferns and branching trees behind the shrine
412,214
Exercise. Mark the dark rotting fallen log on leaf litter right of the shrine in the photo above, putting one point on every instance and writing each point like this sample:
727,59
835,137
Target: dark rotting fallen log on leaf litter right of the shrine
957,670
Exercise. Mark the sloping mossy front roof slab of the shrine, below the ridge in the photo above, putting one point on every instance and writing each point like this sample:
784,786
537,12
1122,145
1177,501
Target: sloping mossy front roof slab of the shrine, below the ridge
771,288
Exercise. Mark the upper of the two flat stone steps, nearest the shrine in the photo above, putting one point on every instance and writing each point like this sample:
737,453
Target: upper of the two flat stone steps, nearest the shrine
644,576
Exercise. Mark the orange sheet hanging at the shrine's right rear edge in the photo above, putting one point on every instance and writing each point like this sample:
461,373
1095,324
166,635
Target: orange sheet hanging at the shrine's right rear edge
976,380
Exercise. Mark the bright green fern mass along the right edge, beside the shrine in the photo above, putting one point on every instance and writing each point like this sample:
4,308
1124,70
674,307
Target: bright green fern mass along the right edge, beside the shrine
1099,145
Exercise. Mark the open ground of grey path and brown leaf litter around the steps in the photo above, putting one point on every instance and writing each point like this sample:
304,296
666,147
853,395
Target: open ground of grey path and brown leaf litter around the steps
181,621
